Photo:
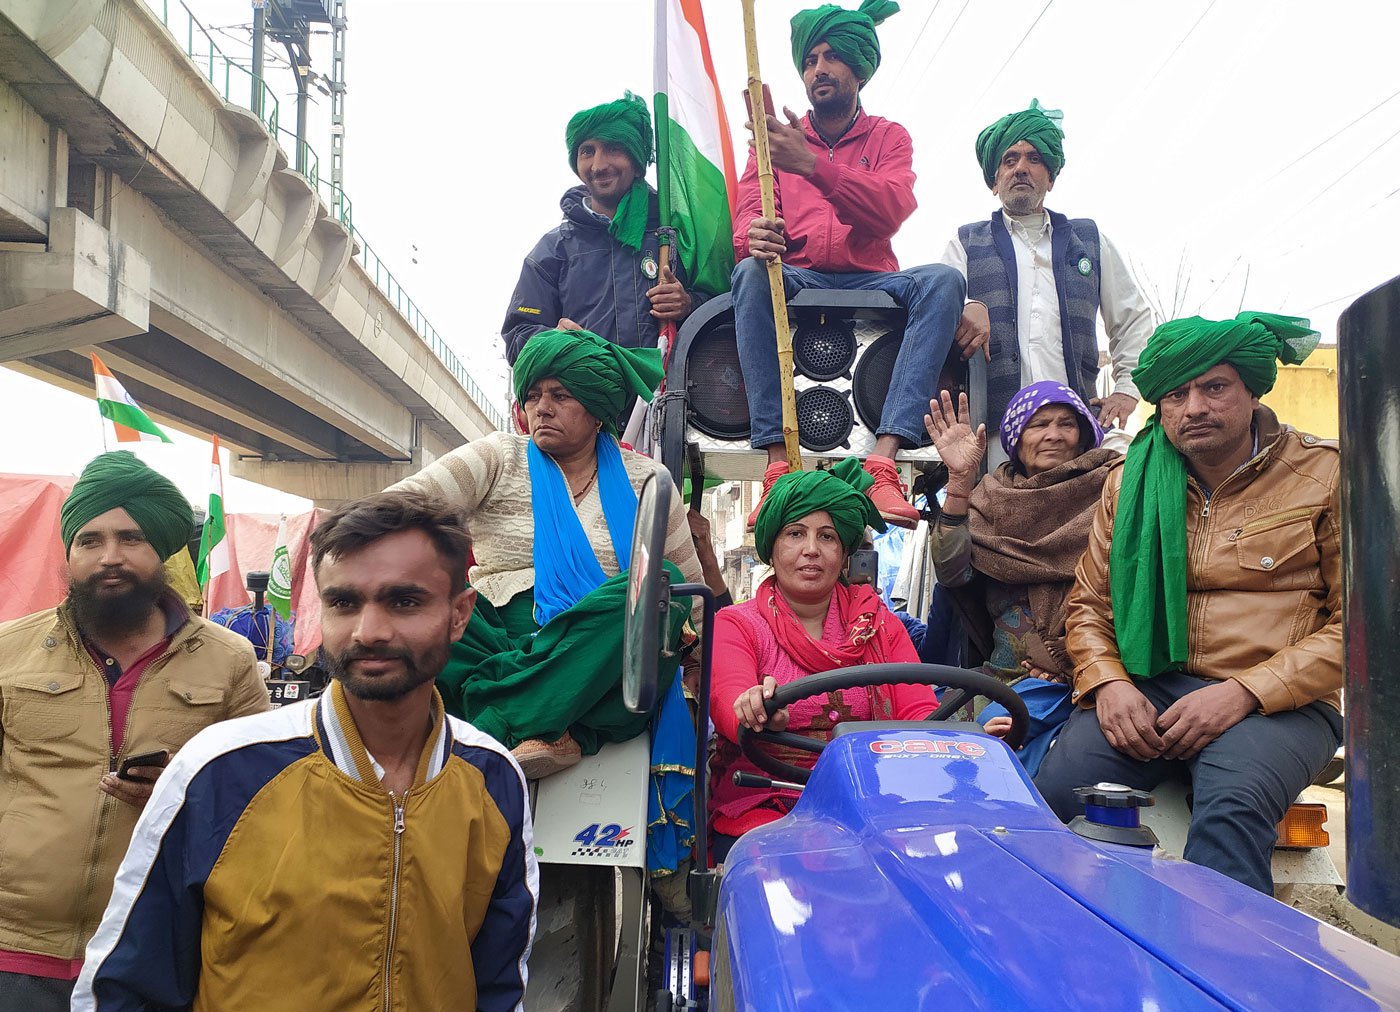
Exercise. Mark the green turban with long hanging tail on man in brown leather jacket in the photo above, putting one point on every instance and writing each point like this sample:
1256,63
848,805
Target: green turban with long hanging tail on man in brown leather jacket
1147,561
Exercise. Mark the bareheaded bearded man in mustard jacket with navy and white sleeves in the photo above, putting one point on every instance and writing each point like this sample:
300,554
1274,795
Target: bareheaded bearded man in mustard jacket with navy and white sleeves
358,852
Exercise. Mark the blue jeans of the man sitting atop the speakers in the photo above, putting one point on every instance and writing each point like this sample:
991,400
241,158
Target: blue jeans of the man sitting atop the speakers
933,297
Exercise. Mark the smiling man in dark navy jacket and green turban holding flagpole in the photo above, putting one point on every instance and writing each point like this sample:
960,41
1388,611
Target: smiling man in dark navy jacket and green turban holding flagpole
601,268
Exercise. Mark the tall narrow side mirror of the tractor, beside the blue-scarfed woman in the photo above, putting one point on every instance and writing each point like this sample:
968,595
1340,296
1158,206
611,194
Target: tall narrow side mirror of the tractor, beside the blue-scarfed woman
649,596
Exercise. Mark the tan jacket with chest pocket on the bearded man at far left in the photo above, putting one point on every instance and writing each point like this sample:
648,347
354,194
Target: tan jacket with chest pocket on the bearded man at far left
62,839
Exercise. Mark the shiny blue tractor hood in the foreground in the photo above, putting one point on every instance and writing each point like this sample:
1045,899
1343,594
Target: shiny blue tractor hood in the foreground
922,871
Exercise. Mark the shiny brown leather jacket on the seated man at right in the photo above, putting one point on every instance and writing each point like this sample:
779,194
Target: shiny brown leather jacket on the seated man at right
1263,580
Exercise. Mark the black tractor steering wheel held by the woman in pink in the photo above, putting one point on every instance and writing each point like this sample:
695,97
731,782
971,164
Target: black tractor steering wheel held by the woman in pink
964,684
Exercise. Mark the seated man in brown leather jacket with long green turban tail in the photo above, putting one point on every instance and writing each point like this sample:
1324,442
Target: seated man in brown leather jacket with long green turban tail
1206,615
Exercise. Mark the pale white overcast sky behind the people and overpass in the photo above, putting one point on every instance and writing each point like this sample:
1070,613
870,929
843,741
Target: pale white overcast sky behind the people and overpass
1213,138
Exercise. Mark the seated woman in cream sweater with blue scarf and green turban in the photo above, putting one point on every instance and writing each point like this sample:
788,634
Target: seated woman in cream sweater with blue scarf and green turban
552,517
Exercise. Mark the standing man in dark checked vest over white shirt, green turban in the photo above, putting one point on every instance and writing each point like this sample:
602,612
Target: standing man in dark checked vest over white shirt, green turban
1039,281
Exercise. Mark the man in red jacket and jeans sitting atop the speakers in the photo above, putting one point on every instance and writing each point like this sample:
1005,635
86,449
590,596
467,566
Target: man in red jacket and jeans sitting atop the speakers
845,184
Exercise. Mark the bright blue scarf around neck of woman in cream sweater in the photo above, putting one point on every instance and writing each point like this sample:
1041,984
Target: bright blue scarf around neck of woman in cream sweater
566,569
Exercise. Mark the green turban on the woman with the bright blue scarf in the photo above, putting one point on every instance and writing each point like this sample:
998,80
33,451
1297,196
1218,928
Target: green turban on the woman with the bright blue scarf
600,374
